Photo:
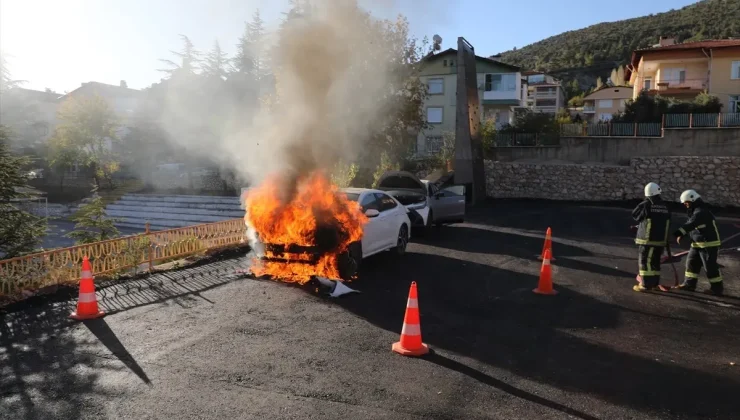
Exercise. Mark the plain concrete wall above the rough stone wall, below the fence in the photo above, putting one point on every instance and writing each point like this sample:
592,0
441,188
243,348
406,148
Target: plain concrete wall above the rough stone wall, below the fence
619,150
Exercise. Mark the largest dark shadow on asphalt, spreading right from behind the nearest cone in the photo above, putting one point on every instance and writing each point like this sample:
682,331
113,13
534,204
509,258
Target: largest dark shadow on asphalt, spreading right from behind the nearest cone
491,315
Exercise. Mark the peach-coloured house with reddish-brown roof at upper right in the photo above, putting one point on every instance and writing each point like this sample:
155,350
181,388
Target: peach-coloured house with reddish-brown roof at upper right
683,71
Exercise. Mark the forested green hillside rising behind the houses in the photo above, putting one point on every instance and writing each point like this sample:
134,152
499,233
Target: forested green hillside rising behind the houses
593,51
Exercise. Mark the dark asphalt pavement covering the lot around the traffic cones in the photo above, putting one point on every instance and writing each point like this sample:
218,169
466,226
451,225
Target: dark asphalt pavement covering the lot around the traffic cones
202,342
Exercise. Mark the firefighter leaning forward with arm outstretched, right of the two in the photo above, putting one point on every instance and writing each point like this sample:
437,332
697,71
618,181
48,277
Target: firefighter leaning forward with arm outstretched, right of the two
702,229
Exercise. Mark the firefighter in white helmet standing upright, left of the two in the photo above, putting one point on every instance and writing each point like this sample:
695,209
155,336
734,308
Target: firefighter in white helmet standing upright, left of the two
654,220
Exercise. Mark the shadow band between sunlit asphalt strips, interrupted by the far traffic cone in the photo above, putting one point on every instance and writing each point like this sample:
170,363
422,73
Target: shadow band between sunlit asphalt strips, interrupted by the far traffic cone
479,240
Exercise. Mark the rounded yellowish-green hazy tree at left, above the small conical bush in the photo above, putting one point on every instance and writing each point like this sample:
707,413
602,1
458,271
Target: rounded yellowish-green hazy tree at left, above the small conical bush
89,127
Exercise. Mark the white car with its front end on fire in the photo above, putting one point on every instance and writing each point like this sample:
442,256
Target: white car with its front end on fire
388,228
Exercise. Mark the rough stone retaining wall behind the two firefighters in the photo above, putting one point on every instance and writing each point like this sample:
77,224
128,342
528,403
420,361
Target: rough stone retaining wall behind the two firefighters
717,179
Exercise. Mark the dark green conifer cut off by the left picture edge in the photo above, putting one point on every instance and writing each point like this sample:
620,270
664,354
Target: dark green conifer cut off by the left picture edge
20,231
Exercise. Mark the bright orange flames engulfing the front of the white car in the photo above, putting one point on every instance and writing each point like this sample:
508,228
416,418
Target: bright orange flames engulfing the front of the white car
317,215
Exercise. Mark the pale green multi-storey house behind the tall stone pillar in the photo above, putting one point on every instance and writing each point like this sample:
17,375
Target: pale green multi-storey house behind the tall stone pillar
500,91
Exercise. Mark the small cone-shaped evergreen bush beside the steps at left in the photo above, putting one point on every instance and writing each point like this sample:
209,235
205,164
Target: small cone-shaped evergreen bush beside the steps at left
91,223
